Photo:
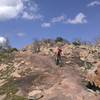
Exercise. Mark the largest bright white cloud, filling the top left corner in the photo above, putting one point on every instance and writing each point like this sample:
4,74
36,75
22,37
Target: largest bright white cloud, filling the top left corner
10,9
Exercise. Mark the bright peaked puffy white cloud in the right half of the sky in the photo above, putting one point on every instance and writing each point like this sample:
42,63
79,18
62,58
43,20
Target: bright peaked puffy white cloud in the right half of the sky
79,19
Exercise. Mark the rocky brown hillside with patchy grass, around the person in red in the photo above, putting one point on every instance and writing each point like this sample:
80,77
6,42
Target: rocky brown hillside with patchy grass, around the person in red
28,75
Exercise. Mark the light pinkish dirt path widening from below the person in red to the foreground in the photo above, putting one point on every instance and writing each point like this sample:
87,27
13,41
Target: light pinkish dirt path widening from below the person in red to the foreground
69,86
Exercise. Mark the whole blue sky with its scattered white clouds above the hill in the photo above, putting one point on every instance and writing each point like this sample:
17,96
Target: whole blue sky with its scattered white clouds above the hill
22,21
